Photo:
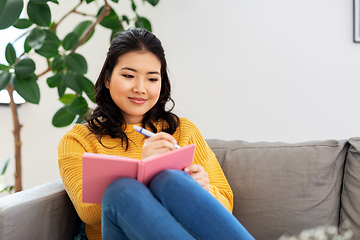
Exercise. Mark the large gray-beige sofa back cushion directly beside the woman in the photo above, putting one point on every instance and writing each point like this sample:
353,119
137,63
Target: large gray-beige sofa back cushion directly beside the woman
281,188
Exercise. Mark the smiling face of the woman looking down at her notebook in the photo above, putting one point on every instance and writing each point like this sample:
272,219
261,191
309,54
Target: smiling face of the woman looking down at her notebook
135,84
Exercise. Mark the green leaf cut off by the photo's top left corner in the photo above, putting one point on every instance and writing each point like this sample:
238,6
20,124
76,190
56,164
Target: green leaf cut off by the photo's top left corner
10,11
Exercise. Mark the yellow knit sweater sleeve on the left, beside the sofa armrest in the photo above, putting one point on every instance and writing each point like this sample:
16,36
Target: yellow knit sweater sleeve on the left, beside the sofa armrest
70,152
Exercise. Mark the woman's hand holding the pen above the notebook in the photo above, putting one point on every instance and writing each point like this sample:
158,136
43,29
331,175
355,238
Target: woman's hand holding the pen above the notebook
159,143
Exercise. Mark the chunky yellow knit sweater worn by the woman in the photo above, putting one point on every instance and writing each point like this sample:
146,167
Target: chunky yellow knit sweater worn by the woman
79,140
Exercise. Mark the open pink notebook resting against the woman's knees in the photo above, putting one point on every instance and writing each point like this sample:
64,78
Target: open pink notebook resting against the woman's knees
99,170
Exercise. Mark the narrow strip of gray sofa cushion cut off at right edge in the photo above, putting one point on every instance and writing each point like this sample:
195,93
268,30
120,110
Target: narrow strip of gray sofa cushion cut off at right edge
350,199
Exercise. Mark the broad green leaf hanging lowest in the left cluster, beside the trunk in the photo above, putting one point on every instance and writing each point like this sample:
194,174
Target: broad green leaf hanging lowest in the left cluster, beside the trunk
28,88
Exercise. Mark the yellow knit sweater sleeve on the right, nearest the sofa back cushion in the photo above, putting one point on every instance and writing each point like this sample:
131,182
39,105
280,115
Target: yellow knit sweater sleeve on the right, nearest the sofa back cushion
204,156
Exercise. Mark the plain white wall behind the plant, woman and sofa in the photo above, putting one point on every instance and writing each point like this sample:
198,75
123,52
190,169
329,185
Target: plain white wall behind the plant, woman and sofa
280,70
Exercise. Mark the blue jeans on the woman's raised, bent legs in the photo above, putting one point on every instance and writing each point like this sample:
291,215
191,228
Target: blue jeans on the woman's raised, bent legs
174,206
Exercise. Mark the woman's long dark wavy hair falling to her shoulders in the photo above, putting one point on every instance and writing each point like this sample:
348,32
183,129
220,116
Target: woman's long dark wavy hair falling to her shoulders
107,118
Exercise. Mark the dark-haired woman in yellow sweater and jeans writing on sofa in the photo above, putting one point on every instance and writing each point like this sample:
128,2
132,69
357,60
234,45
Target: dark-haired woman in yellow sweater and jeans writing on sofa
133,88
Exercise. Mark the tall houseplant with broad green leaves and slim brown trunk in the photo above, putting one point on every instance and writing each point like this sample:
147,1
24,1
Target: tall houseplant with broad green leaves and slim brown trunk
68,67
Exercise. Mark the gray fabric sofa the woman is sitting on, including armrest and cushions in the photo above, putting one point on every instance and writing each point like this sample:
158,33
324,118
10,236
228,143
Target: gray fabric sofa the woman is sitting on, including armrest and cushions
279,188
